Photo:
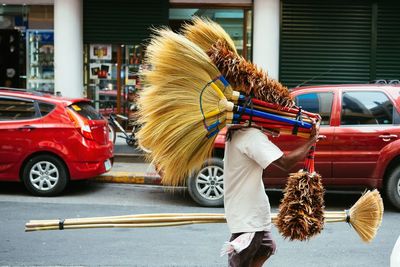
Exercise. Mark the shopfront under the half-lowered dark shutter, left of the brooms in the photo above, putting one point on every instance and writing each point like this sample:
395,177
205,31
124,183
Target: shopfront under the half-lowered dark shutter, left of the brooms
114,33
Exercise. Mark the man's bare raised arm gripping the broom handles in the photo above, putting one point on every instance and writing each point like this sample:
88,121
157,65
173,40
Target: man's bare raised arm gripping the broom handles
287,161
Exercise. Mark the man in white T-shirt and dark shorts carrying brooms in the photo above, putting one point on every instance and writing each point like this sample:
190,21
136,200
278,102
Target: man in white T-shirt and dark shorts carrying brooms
248,152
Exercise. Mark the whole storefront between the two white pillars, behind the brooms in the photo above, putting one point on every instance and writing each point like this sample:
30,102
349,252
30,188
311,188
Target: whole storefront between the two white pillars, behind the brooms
115,36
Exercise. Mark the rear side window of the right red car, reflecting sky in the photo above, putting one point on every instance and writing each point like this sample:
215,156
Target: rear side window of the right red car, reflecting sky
366,108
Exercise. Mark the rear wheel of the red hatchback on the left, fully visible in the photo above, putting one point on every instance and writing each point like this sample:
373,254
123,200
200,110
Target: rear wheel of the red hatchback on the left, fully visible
45,175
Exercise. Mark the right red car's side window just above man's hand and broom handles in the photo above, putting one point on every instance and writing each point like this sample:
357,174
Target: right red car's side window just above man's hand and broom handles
320,103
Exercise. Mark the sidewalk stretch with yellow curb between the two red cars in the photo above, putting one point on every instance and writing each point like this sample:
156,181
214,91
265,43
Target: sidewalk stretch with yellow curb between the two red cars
129,167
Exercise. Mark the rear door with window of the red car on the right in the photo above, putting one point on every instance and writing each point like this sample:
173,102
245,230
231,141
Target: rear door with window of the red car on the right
366,126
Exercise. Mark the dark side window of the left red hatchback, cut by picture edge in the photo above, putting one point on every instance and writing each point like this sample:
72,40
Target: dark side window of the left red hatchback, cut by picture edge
16,109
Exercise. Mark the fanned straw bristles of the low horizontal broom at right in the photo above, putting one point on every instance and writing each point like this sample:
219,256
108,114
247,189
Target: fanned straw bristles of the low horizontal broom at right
366,215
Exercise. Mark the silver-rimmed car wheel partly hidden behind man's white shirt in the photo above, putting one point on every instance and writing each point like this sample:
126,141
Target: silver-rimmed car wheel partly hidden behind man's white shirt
206,187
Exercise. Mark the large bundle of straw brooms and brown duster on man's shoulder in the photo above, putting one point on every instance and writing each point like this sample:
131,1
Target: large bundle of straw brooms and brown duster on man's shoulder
187,99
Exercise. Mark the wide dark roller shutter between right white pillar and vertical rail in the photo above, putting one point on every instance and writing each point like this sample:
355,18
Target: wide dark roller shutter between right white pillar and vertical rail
325,42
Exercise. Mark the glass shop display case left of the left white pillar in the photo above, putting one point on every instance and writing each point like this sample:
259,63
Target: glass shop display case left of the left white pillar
40,60
